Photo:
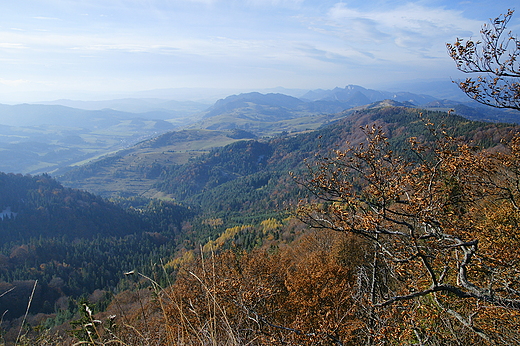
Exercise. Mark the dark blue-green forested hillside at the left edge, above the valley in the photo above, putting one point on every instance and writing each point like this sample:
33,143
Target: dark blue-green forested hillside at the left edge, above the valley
42,207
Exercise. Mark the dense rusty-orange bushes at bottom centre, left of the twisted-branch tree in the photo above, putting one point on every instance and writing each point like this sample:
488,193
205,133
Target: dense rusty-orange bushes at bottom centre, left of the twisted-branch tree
300,295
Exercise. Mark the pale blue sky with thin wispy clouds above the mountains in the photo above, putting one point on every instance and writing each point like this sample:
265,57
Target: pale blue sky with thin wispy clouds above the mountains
97,49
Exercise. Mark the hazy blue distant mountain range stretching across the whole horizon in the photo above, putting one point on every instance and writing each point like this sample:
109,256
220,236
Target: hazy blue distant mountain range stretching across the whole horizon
37,138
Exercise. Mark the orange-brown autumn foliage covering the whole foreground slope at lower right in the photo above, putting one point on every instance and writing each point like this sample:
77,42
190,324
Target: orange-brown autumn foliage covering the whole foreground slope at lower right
419,248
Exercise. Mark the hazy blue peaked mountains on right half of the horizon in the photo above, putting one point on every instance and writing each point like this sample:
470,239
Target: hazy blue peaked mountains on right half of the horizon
254,111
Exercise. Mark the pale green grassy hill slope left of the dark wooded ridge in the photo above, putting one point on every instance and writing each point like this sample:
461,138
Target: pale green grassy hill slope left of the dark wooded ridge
134,171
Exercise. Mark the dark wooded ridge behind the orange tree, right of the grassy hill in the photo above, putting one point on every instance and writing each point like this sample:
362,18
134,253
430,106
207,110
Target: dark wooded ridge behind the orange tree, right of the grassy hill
224,179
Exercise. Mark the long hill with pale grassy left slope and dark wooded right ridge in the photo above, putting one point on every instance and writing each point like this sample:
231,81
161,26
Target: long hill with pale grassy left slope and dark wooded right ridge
183,164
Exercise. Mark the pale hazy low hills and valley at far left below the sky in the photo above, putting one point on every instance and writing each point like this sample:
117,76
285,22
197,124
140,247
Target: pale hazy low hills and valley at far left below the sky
45,138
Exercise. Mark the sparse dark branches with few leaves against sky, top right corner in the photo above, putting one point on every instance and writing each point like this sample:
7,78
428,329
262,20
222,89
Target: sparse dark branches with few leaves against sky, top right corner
495,58
